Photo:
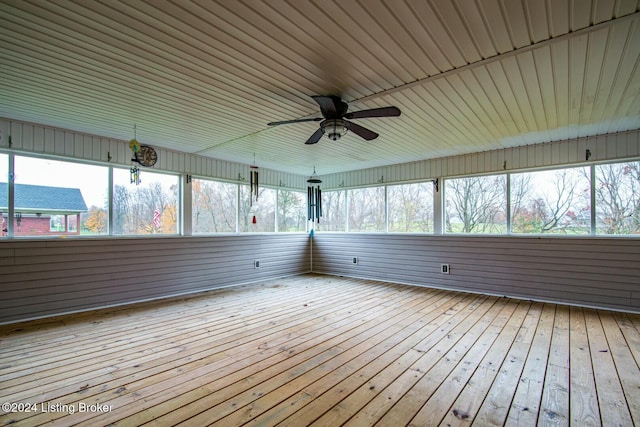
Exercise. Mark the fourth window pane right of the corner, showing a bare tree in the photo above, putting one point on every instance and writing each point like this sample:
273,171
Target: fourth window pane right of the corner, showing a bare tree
476,204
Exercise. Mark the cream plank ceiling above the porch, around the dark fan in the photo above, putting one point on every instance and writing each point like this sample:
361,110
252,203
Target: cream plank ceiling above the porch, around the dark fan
207,76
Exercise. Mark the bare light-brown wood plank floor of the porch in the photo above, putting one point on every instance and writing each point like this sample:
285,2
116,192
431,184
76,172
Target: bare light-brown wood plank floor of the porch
325,351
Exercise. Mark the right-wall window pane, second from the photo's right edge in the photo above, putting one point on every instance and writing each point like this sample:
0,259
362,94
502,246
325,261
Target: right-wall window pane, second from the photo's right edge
556,201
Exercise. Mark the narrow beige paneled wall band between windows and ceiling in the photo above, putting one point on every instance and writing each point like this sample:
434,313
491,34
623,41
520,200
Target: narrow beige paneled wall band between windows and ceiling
39,139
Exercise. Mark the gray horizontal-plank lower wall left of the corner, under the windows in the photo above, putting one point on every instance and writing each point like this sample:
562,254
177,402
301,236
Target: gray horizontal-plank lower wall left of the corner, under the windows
41,278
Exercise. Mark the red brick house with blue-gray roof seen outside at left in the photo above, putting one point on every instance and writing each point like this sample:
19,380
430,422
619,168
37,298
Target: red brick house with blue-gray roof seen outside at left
42,210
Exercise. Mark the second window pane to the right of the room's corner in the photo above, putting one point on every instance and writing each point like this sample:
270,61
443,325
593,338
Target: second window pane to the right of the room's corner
366,209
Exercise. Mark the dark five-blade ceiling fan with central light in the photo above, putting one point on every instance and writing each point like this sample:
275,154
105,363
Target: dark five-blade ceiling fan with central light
335,119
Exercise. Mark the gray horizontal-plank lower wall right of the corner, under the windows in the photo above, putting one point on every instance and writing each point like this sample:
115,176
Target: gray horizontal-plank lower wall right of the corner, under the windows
595,272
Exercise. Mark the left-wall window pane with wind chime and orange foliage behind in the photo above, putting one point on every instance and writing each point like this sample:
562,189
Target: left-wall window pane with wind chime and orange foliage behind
148,208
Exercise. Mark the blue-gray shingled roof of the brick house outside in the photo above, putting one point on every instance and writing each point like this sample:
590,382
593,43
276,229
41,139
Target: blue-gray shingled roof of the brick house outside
40,198
